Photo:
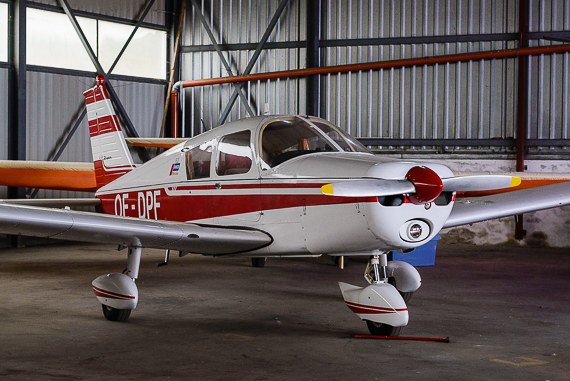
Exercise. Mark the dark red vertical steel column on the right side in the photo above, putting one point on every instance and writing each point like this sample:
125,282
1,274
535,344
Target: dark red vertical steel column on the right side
521,101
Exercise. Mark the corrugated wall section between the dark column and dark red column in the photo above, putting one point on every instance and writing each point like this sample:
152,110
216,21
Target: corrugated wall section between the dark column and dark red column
456,100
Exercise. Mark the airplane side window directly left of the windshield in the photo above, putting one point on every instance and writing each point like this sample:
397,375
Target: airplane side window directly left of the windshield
234,154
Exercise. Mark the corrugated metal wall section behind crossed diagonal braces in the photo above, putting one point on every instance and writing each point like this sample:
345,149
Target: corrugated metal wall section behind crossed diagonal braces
242,22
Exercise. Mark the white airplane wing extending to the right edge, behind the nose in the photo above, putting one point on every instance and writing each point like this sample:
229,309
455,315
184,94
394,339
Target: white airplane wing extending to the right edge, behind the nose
470,210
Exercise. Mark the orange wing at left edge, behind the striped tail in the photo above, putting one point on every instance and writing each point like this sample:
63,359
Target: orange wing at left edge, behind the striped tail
48,175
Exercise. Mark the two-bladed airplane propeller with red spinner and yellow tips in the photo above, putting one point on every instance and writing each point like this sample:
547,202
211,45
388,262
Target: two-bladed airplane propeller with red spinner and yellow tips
422,185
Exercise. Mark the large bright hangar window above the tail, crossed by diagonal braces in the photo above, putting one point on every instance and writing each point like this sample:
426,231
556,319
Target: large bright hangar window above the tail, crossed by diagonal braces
53,42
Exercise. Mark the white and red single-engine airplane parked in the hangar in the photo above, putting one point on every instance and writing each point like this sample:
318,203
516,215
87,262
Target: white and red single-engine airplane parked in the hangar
270,186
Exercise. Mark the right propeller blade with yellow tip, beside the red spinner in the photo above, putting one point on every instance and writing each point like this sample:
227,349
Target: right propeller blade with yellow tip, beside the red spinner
479,183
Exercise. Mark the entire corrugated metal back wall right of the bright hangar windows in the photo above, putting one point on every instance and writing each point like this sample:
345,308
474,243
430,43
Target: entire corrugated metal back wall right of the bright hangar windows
471,100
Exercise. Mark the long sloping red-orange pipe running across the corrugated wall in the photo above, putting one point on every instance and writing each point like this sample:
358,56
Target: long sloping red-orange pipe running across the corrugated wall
382,65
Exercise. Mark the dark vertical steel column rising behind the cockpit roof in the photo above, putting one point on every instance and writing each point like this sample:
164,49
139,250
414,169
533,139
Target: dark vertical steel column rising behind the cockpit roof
312,59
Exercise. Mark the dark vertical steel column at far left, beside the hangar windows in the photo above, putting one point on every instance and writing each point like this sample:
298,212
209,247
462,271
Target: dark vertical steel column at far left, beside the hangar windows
17,87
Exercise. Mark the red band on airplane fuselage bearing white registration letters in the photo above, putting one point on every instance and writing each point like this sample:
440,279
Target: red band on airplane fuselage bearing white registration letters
196,207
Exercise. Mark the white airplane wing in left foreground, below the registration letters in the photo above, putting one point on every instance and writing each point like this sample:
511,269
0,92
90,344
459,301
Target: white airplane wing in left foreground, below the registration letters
125,231
